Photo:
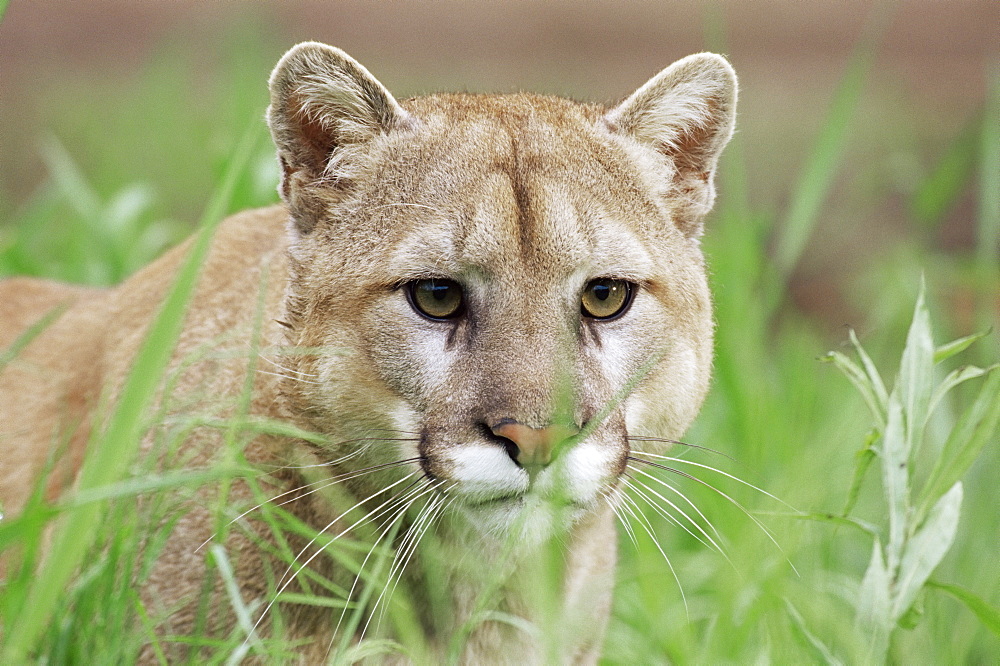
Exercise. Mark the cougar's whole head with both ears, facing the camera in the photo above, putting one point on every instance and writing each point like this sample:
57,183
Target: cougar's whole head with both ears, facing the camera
511,285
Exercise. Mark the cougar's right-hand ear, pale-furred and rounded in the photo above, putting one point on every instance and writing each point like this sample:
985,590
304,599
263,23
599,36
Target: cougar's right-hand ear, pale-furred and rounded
686,112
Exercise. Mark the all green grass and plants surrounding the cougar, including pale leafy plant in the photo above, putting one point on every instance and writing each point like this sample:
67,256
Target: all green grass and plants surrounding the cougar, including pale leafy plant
826,589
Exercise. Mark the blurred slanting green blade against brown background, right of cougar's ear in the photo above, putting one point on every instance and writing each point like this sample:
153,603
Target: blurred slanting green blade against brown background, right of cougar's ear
821,167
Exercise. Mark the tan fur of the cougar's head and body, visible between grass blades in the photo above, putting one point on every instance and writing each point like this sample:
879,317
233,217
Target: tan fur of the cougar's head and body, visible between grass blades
522,200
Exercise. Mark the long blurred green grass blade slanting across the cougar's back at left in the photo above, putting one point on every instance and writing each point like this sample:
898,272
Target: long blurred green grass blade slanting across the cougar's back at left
111,452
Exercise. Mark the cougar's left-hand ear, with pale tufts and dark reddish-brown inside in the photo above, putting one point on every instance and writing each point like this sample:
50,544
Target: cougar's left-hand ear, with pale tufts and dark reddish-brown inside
324,106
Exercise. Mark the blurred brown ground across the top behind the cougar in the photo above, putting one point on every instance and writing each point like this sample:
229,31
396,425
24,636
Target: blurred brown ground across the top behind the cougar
931,69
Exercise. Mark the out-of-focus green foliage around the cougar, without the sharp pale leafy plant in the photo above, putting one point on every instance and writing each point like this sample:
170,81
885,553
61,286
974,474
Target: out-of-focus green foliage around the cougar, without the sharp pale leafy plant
792,426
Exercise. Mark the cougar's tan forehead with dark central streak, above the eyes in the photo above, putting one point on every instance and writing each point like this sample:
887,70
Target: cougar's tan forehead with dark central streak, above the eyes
520,183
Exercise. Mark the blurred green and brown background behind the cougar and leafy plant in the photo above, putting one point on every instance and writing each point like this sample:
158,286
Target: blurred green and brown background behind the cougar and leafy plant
867,156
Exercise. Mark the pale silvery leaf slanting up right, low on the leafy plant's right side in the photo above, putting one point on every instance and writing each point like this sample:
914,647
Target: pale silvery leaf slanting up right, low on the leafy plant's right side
926,548
